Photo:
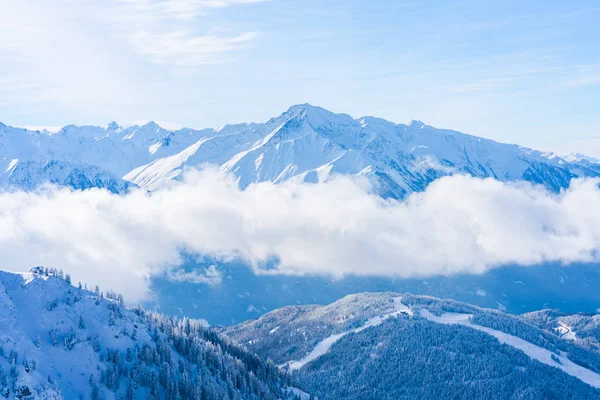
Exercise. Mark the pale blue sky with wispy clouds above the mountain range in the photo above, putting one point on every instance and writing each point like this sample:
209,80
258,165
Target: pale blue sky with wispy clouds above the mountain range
515,71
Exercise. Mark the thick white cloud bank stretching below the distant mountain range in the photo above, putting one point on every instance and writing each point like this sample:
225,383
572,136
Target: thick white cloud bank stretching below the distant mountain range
459,224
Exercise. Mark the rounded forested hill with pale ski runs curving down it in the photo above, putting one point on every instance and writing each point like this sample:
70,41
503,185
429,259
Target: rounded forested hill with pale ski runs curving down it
391,346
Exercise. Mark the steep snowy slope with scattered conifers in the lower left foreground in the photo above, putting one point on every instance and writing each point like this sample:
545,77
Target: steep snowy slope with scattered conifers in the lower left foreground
58,341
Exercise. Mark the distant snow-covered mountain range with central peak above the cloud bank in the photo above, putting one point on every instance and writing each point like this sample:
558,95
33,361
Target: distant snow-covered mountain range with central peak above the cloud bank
305,143
